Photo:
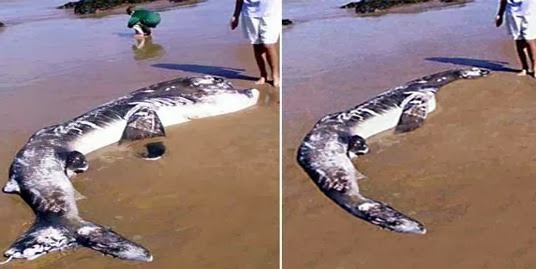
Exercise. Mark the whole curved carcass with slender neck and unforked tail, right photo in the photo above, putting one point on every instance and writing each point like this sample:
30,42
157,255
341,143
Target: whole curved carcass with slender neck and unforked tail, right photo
327,151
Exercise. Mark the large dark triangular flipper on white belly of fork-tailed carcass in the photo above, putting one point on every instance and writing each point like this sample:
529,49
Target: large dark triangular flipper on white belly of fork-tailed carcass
143,123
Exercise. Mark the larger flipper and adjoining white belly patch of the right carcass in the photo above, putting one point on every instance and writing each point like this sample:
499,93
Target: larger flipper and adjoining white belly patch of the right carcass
415,112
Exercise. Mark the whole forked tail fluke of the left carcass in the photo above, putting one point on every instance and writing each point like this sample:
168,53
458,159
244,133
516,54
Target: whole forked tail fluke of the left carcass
60,234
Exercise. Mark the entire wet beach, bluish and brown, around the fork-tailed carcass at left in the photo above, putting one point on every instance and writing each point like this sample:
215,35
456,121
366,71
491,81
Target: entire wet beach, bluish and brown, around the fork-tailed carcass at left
212,202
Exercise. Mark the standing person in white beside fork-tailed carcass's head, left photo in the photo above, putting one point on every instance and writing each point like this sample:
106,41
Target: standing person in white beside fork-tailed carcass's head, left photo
261,22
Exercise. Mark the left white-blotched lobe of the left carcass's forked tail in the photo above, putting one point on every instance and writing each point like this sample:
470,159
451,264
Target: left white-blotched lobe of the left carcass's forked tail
41,239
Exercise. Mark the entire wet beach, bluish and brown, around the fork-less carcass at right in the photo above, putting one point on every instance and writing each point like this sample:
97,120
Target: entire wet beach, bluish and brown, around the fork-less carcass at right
467,174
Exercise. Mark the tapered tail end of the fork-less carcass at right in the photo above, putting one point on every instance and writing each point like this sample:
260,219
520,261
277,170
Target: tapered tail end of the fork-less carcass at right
378,213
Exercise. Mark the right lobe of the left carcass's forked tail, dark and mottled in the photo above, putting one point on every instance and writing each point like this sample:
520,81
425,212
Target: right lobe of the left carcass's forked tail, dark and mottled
110,243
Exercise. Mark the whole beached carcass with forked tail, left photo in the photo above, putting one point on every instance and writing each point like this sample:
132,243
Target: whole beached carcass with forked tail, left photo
41,170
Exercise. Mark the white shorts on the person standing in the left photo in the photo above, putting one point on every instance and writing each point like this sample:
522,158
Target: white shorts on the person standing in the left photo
262,30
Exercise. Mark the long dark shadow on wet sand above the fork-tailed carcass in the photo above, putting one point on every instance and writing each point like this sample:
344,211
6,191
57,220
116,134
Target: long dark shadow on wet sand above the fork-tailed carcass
218,71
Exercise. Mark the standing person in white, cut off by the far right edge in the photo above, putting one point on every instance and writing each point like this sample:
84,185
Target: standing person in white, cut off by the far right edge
521,24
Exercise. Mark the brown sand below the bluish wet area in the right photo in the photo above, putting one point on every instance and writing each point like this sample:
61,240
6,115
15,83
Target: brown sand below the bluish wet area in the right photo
467,174
